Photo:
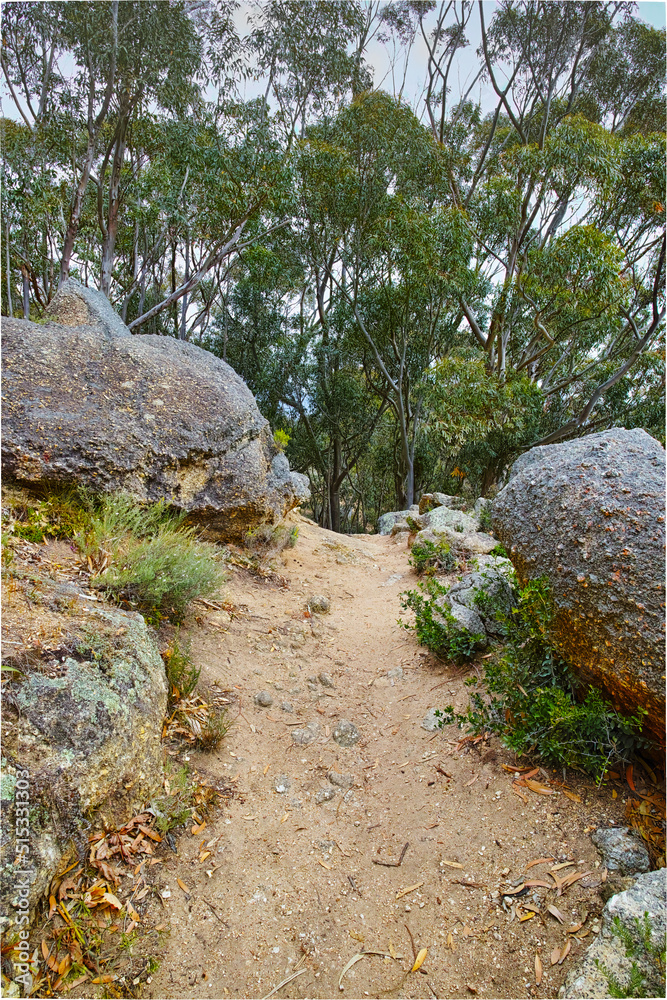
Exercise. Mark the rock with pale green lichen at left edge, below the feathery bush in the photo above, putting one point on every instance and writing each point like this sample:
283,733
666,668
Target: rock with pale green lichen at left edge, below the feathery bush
90,743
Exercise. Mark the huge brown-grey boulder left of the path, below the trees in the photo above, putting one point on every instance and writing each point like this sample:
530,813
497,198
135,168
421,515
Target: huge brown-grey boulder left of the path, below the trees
153,416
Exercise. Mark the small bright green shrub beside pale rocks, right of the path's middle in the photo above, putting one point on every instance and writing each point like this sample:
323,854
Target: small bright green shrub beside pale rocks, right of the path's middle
435,626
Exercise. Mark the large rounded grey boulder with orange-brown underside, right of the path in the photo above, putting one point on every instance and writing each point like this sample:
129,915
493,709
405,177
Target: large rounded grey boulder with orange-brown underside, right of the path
589,515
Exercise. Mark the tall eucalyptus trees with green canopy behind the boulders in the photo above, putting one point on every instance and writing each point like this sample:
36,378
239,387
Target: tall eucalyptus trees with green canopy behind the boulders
418,280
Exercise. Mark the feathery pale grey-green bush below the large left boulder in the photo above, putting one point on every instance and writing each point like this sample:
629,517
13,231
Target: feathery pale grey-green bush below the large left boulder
144,554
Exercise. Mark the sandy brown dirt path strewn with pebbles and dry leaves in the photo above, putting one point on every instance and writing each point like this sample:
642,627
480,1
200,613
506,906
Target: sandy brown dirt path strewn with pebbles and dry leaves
290,883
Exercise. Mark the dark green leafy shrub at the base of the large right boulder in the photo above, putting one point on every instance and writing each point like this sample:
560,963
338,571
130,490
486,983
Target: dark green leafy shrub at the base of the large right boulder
528,697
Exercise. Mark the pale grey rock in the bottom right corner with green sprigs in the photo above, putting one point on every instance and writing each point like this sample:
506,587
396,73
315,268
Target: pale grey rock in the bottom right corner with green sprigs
640,912
